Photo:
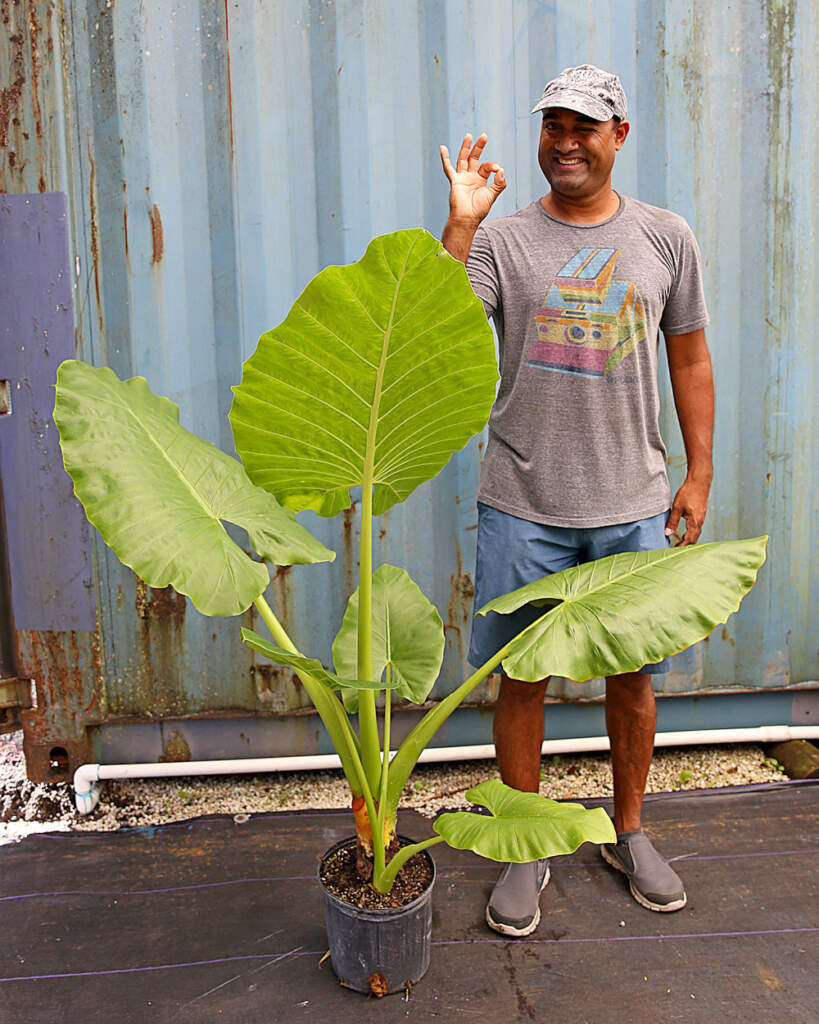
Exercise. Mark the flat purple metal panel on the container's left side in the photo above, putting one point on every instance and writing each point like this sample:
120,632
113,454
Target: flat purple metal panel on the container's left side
50,551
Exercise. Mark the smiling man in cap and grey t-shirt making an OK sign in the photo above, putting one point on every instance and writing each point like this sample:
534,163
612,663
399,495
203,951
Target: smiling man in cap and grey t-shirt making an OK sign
579,284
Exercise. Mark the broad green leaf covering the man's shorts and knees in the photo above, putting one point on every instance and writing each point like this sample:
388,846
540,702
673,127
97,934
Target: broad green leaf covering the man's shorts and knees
622,613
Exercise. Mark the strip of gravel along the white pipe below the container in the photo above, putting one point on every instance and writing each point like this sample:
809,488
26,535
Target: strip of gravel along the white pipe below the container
27,808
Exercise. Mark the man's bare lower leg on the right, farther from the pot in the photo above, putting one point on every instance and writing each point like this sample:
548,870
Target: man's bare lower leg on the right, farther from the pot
631,721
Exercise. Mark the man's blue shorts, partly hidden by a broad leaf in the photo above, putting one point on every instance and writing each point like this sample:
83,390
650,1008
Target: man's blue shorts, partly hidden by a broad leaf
513,552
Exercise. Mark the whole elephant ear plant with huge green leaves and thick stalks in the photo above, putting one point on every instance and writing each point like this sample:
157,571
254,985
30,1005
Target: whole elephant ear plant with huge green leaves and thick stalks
381,371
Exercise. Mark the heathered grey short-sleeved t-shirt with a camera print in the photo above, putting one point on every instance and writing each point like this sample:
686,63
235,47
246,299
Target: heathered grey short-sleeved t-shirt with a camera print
574,435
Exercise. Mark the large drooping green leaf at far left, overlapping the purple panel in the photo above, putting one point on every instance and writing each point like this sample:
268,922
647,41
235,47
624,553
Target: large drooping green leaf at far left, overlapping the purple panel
158,494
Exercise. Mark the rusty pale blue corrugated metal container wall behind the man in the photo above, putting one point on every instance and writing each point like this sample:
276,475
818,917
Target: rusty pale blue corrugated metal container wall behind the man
218,154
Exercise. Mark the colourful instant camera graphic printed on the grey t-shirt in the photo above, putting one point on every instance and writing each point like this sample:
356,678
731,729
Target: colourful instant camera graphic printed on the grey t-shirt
590,322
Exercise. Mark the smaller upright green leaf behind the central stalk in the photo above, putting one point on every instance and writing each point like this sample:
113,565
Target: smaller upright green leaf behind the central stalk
408,635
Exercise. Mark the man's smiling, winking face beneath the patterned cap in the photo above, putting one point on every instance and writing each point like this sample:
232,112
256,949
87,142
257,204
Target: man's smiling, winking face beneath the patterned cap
576,153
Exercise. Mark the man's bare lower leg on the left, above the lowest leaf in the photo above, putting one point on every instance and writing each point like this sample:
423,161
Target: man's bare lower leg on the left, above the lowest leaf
519,729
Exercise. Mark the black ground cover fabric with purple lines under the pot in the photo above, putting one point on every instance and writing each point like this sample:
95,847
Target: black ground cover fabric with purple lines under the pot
214,921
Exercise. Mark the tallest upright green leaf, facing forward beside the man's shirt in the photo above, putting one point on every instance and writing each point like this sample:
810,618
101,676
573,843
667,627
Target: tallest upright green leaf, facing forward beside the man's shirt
381,371
